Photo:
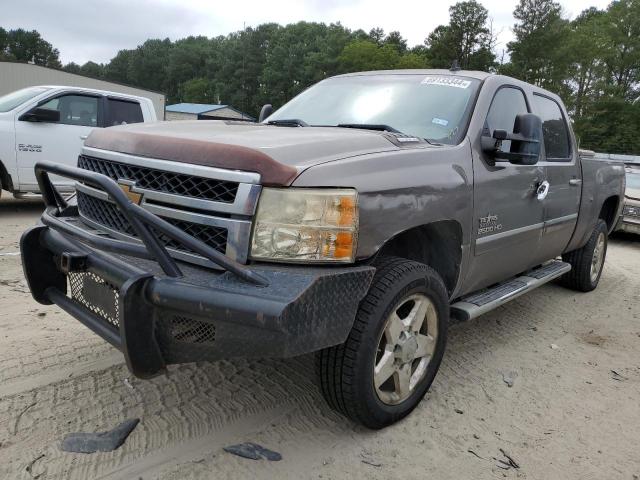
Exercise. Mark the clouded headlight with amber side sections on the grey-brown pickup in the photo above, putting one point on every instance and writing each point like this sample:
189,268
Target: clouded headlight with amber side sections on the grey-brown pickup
306,225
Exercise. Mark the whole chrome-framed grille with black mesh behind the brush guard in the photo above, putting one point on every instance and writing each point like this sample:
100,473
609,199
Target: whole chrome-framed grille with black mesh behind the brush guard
214,205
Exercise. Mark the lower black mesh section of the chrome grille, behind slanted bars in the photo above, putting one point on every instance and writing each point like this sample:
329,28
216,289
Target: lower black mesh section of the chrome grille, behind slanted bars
108,215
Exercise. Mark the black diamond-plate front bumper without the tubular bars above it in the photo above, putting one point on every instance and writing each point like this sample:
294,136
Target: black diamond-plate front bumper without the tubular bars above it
206,315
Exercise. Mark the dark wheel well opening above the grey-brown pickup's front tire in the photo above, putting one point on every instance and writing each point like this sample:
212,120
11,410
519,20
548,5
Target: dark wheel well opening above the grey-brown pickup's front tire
437,244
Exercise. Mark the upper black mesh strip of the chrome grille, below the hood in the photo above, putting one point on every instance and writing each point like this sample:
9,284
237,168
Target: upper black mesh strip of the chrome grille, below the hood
163,181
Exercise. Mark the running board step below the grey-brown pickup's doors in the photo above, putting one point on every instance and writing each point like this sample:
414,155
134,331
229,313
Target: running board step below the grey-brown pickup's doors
485,300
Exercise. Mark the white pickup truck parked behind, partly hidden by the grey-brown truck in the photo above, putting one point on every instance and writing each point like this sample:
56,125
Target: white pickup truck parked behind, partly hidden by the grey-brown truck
51,123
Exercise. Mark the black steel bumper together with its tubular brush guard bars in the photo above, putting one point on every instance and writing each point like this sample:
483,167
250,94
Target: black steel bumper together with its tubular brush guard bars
179,313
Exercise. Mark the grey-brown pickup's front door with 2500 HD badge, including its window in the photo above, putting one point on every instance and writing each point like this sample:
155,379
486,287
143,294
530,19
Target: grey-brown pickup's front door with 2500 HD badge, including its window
508,217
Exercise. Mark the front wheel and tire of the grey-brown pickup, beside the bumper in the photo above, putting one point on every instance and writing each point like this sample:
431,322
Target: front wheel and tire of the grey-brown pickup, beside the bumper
346,371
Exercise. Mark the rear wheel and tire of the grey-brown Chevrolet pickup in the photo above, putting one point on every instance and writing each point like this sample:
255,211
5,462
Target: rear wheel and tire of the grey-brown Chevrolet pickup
587,262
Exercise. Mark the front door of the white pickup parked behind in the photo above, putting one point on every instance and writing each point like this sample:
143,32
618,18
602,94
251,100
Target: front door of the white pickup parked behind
58,142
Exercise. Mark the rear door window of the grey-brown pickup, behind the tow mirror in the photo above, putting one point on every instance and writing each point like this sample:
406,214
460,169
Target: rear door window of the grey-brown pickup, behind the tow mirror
554,129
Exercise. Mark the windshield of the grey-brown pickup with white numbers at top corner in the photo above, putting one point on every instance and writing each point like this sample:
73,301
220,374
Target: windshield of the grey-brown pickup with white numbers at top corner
434,107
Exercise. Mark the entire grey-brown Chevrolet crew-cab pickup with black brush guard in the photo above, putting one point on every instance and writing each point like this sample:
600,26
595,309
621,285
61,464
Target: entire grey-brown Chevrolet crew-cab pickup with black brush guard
353,222
